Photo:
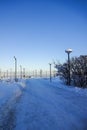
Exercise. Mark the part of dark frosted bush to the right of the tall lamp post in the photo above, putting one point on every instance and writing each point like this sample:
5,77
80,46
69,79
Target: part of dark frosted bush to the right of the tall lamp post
79,71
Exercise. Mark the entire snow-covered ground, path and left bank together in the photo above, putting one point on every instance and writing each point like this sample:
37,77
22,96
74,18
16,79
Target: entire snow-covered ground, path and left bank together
37,104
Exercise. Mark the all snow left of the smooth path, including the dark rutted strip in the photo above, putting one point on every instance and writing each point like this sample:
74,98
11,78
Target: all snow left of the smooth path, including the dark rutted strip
10,93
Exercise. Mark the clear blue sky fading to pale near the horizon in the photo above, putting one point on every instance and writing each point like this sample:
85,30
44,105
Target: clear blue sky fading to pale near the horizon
38,31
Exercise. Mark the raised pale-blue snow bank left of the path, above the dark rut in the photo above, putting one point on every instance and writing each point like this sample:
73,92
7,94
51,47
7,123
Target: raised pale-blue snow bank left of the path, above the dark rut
10,92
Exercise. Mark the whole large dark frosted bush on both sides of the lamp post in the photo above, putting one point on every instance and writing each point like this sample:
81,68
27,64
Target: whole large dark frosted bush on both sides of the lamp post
78,71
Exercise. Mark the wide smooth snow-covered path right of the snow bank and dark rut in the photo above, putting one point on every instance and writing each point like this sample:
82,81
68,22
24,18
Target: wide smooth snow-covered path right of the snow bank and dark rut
46,107
